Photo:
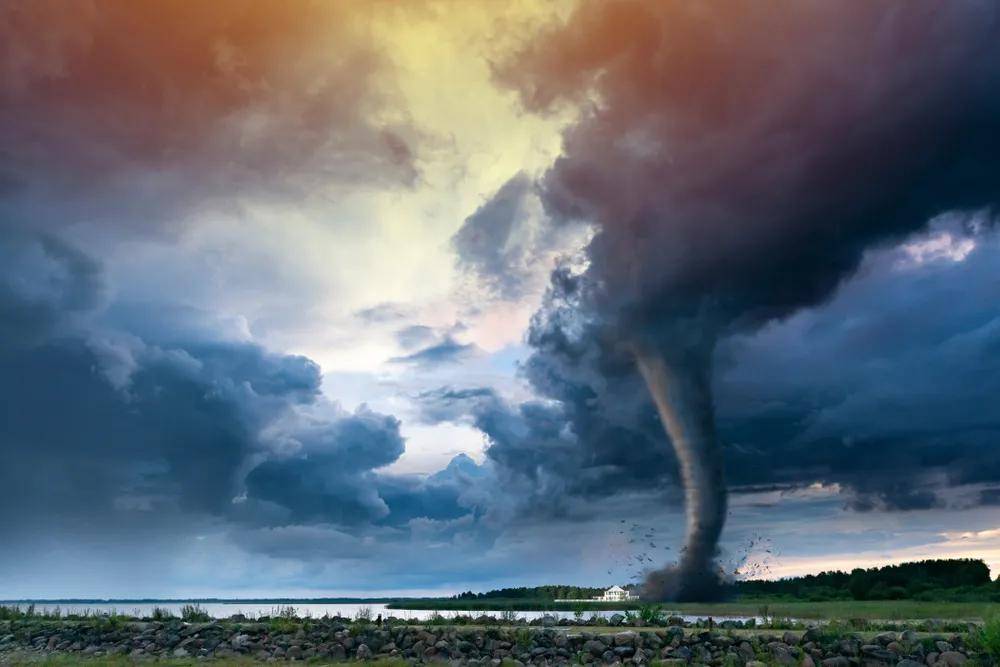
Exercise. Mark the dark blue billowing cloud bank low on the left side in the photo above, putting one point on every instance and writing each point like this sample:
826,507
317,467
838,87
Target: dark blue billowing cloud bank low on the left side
105,428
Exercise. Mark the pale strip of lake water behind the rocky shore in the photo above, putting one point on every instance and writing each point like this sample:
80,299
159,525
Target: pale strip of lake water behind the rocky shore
347,610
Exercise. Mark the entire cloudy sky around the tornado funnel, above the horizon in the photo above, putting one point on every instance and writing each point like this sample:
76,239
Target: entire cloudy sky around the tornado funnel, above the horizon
323,299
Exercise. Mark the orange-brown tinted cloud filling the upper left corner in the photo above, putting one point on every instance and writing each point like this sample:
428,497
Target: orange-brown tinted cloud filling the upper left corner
135,112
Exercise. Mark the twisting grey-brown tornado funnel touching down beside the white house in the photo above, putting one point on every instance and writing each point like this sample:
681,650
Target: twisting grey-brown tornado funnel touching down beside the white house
681,392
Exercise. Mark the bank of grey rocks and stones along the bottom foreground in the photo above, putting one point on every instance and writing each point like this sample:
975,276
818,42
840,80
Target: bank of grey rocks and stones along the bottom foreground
333,640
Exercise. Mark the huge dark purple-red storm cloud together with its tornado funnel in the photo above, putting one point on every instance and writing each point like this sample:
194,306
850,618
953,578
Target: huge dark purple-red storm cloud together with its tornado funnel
738,159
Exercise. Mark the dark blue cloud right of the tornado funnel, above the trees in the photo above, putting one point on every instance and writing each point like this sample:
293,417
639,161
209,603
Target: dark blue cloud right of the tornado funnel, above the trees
886,390
